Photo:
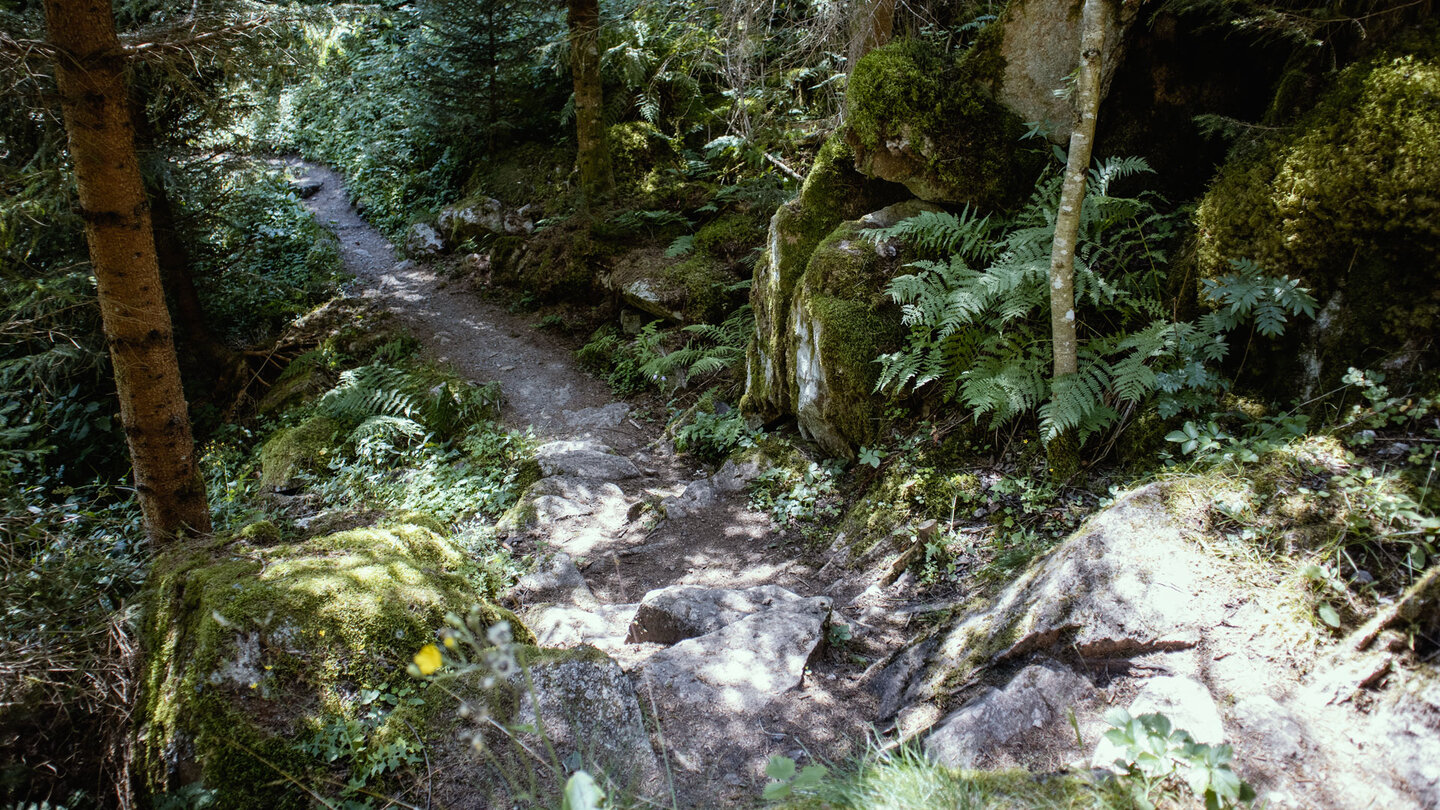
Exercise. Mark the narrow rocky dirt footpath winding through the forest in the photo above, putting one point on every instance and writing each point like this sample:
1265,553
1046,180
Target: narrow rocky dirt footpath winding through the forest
722,698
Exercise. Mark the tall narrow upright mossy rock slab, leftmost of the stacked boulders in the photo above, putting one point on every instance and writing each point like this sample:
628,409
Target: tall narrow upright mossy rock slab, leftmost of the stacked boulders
833,194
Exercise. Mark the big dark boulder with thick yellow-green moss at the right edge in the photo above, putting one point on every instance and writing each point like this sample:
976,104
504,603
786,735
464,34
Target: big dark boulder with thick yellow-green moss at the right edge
1349,201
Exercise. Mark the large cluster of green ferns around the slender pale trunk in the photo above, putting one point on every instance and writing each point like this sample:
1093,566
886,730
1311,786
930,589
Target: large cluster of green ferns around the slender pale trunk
977,312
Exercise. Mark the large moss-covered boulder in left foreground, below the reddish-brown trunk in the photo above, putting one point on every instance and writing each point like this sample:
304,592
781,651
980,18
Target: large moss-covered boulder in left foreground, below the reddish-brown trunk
251,652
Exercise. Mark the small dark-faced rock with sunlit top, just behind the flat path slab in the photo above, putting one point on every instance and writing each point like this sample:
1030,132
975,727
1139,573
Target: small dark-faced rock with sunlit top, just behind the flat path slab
685,612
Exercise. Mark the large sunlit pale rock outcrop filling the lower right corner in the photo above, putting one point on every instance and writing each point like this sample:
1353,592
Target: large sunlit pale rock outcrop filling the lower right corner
1138,610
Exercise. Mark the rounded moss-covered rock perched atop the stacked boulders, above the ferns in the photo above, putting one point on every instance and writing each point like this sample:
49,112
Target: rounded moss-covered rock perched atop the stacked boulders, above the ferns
930,120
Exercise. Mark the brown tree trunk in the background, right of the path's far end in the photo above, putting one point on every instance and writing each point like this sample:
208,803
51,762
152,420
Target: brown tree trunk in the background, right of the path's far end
597,177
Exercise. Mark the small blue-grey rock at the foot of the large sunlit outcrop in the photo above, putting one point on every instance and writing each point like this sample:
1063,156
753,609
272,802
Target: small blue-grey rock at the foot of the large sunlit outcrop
1035,701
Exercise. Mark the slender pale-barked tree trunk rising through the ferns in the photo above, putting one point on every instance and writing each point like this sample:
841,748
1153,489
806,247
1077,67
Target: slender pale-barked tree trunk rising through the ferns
1094,19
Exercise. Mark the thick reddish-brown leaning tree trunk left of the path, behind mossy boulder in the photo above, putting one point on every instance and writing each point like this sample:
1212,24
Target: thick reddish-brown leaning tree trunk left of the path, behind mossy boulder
90,76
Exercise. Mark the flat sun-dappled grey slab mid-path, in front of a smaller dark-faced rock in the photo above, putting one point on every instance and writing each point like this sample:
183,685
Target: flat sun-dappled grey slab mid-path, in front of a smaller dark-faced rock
742,667
